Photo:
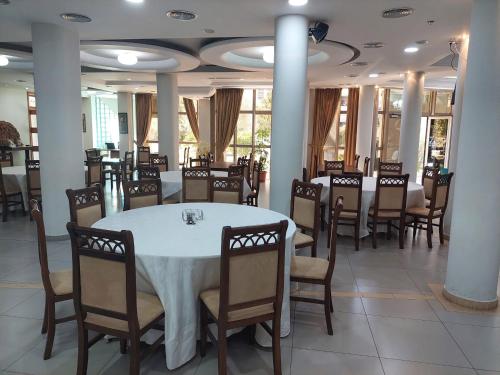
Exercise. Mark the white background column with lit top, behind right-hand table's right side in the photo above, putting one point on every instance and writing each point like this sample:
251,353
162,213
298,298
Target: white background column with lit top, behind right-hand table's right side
411,113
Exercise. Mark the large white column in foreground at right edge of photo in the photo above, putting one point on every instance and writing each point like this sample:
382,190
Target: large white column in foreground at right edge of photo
474,256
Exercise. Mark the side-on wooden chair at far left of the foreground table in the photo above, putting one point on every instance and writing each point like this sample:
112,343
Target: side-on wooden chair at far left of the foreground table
58,285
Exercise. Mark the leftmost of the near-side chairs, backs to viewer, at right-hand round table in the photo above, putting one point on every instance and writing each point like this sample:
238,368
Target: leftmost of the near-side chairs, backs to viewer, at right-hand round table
350,187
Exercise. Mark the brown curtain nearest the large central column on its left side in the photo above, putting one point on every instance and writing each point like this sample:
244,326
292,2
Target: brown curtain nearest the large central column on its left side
228,103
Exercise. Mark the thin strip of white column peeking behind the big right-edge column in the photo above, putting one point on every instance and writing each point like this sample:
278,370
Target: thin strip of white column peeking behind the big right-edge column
455,128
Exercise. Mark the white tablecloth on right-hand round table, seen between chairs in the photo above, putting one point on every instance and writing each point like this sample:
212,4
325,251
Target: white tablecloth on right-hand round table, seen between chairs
415,198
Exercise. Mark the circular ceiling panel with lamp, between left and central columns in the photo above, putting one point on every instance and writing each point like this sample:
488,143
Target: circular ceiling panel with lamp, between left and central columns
149,57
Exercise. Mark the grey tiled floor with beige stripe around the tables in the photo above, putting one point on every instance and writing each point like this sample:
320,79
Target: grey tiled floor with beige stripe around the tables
381,326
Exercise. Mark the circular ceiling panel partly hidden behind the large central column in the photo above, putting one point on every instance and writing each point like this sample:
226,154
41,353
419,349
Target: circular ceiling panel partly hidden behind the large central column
248,53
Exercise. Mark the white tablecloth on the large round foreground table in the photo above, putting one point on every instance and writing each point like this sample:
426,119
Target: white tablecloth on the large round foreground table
179,261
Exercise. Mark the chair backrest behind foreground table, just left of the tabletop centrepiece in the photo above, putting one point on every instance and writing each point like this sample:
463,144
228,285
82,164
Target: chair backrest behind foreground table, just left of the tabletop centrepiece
145,193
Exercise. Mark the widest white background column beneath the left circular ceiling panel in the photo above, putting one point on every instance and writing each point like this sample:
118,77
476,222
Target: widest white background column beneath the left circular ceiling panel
168,117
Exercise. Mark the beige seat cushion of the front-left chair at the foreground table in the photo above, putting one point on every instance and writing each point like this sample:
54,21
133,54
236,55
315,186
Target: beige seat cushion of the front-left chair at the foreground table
149,308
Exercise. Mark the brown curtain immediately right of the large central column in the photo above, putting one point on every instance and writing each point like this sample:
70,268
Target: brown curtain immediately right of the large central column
325,105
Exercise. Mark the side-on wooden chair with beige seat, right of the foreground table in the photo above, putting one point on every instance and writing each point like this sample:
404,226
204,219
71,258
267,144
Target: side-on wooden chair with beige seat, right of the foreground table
318,271
